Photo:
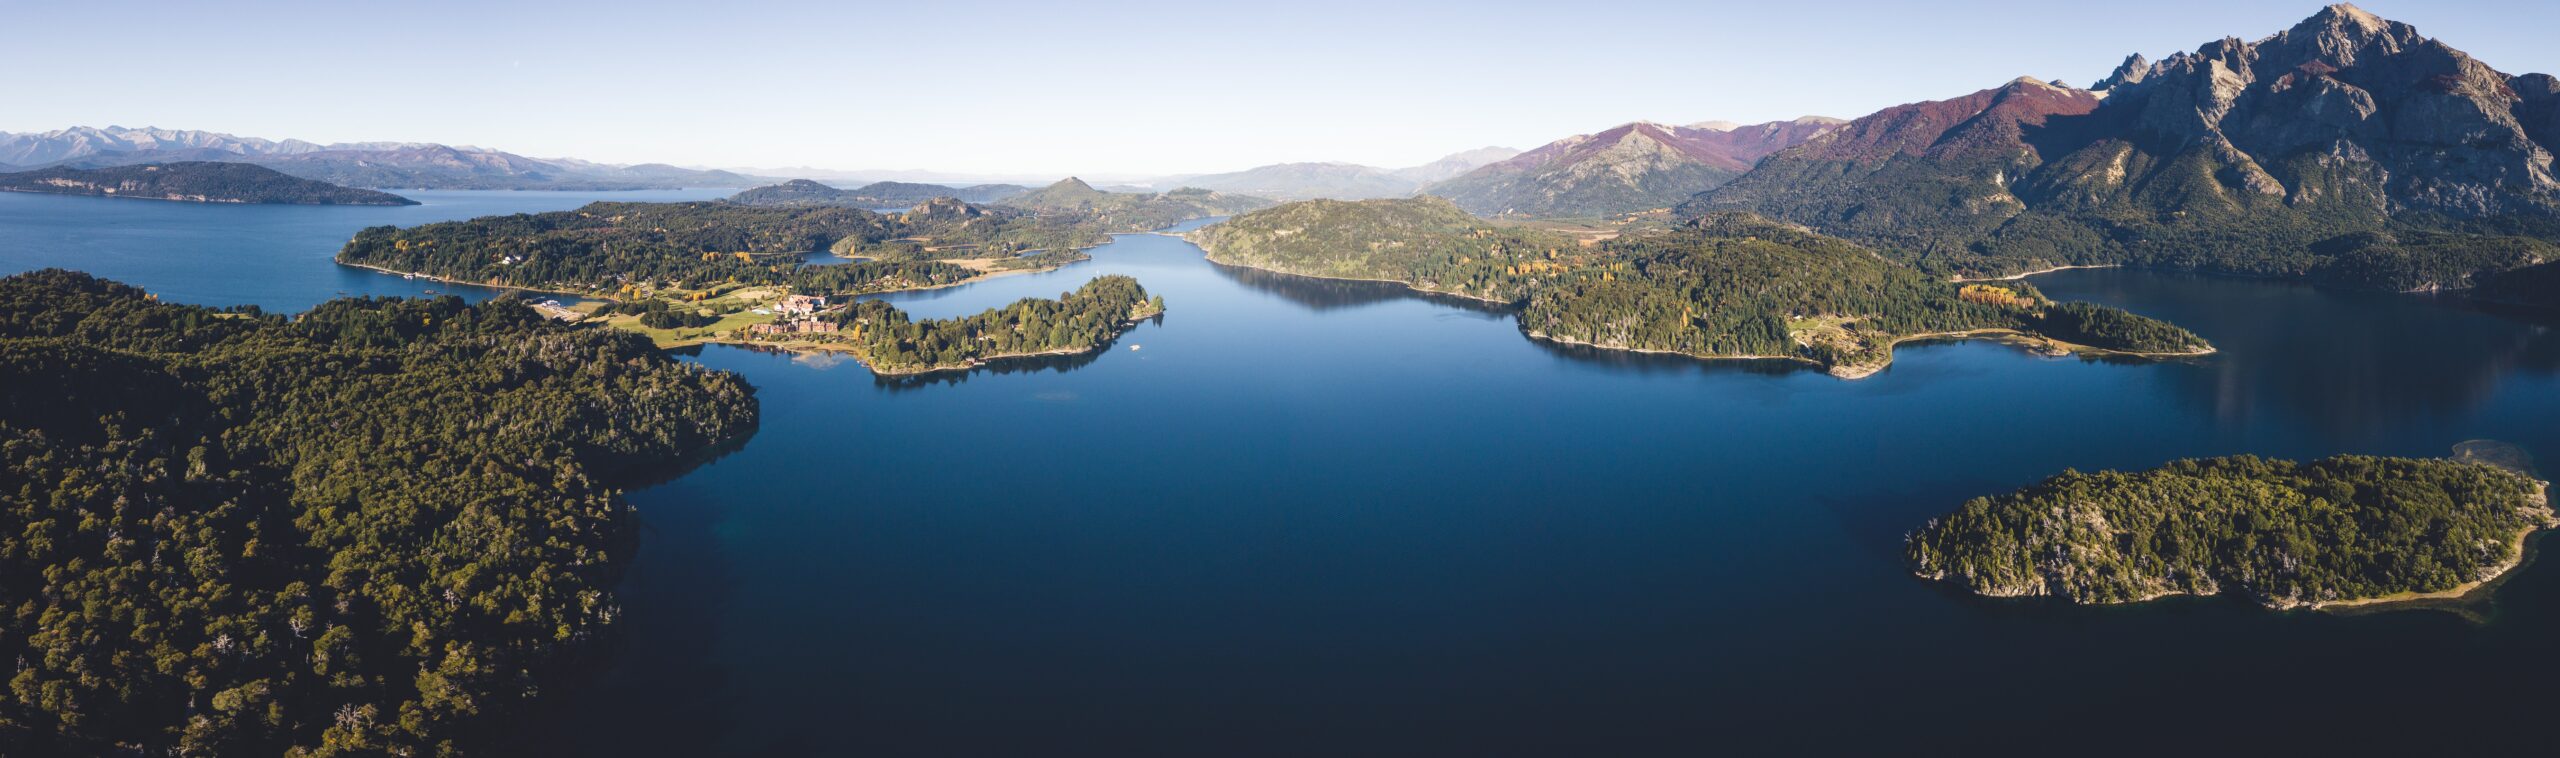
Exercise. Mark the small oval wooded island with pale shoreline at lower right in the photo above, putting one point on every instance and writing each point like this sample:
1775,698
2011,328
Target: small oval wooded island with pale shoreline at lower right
2328,534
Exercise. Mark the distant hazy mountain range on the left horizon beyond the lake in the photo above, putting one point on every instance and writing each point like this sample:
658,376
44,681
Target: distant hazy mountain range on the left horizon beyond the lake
352,165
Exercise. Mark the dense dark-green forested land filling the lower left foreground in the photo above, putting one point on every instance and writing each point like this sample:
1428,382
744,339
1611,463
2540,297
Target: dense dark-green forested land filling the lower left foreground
378,529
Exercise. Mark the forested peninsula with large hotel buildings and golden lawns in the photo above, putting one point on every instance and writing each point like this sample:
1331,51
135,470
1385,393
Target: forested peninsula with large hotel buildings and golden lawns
721,273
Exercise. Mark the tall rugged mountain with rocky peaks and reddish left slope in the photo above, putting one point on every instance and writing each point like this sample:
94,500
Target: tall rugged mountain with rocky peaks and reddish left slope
2346,150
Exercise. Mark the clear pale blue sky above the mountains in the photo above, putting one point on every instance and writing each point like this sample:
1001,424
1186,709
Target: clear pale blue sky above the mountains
1082,88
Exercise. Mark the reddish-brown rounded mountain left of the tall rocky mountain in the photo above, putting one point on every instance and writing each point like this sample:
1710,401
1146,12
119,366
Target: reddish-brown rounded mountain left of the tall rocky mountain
1622,170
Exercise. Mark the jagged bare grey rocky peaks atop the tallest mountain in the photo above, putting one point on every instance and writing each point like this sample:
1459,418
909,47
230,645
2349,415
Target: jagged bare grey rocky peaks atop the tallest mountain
2364,109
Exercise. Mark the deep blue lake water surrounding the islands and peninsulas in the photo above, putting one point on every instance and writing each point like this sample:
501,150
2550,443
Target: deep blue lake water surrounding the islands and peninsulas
1312,519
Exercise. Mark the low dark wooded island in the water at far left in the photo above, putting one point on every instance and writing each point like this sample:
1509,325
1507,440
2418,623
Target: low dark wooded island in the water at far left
196,183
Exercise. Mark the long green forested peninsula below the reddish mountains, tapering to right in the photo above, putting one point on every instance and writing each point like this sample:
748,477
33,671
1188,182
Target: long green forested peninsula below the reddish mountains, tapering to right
1727,286
